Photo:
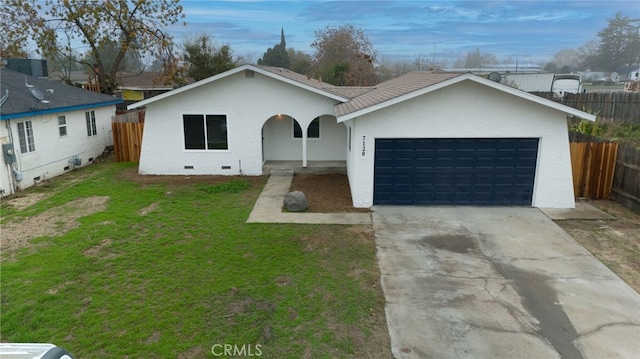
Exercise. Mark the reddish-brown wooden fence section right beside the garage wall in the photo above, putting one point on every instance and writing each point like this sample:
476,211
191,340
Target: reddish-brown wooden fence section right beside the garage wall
593,165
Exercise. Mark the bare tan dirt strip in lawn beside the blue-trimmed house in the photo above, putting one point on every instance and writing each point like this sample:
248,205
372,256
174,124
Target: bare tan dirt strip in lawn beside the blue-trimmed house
50,223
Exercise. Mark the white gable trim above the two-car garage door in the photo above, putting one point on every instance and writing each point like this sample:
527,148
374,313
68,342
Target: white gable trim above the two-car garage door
464,77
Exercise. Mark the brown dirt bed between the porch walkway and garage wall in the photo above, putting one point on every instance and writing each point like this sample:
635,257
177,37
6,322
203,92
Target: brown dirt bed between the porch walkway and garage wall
326,193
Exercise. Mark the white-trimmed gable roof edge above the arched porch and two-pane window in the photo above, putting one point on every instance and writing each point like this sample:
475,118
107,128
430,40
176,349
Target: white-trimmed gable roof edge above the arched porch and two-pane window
277,73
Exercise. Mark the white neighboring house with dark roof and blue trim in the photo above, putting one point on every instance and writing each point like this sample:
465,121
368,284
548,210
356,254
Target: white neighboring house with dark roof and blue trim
48,128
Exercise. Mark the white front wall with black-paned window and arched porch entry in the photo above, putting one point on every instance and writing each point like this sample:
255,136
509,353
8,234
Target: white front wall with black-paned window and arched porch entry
248,102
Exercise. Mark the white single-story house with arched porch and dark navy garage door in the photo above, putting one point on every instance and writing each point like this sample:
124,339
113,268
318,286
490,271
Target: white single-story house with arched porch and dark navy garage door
420,139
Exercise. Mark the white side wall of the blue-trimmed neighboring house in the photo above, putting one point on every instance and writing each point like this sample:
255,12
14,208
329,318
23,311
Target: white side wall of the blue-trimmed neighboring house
54,152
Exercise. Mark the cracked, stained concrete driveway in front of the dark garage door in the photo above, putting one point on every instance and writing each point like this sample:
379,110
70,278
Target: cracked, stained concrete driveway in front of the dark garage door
498,283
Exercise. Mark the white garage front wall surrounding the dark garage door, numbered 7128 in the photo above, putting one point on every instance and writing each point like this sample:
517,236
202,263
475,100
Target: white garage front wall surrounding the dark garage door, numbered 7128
468,110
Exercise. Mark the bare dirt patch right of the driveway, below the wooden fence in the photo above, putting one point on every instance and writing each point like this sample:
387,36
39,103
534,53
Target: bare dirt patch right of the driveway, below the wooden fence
616,243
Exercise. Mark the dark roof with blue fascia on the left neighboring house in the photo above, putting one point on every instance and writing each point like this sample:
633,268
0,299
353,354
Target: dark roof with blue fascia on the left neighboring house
21,103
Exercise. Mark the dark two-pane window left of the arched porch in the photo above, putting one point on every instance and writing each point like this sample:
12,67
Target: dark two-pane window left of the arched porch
205,132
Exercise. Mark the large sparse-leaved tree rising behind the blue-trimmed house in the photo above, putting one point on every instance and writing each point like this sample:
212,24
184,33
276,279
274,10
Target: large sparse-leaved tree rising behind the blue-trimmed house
135,26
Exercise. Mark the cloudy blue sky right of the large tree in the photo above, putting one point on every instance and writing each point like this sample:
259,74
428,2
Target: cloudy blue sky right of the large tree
528,31
